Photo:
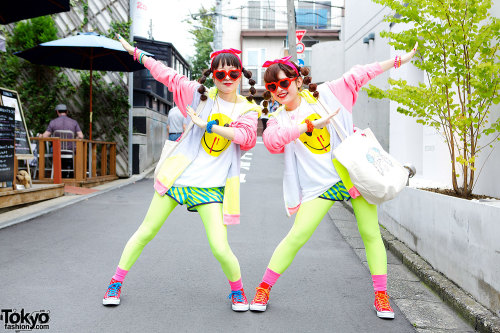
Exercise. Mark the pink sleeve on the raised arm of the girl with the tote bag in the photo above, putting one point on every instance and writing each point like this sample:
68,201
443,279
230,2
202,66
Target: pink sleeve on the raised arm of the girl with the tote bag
346,88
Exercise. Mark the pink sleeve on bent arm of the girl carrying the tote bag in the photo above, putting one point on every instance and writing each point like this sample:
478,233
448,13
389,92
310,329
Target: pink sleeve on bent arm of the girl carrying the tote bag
275,137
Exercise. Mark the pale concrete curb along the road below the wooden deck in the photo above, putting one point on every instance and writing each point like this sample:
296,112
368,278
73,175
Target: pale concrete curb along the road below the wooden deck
52,207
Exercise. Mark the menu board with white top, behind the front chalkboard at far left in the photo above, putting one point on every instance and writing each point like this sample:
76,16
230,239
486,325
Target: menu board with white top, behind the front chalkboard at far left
10,98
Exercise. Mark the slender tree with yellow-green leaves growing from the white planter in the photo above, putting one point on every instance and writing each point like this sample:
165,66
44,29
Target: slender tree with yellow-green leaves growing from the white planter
458,52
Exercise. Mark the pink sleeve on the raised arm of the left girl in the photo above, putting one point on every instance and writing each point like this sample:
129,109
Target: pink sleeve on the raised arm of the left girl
178,84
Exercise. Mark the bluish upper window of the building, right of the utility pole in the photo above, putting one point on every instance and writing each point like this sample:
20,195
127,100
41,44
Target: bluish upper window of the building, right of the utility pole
314,15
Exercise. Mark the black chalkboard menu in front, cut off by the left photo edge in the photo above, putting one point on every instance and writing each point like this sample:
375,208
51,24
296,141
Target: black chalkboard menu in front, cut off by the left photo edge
7,137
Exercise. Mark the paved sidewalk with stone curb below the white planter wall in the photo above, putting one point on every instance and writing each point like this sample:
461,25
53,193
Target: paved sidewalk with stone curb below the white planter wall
416,288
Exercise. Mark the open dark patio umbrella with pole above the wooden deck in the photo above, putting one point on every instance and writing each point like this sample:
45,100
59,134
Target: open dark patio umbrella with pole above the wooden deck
87,50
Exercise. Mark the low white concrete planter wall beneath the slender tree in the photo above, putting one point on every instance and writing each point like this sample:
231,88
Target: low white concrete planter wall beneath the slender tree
460,238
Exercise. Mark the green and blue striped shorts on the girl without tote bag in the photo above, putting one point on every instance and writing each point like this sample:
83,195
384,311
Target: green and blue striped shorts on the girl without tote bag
195,196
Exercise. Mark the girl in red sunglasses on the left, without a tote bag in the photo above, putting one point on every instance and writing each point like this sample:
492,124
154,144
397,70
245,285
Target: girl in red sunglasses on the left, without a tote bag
203,171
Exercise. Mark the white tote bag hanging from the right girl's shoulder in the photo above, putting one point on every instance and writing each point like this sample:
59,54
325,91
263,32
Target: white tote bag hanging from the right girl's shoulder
375,173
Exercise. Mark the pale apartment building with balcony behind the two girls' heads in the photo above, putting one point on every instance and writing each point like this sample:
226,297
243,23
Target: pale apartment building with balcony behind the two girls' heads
259,30
